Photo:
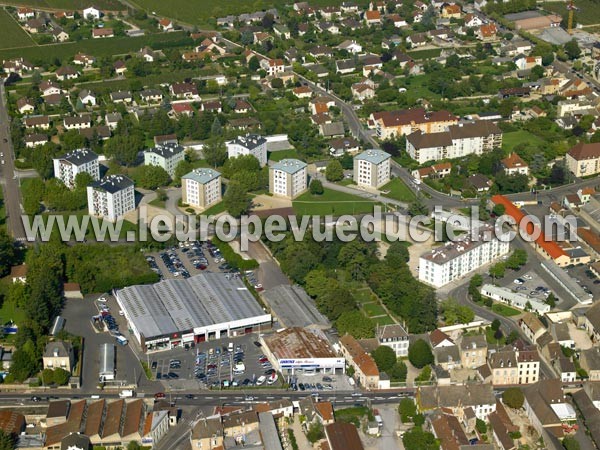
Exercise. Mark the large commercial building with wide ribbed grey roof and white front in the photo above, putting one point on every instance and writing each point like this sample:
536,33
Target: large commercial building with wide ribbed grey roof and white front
177,312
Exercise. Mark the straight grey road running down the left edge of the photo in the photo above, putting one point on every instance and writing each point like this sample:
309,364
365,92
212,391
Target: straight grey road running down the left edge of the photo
10,182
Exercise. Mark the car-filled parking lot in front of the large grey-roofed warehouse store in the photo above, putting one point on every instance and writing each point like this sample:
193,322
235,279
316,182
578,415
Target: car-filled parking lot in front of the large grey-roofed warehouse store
208,365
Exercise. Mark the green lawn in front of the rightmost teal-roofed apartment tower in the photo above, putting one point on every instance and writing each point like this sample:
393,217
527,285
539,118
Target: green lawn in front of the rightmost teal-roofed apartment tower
331,202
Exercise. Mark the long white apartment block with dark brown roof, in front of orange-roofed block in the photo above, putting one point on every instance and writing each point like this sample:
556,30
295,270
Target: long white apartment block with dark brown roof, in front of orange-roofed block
454,141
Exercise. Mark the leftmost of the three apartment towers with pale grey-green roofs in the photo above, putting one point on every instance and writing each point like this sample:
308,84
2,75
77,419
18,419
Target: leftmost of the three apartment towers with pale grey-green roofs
201,188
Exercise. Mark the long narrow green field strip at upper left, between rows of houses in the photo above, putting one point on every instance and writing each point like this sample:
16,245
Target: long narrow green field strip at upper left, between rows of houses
96,47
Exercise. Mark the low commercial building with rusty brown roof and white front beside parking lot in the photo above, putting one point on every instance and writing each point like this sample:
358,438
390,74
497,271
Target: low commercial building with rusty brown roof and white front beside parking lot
297,348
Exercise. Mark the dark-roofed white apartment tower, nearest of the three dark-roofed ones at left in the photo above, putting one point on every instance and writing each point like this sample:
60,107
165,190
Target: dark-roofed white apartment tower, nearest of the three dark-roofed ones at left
111,197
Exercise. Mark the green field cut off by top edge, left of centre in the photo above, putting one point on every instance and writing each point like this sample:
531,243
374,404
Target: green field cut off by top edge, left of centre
202,11
